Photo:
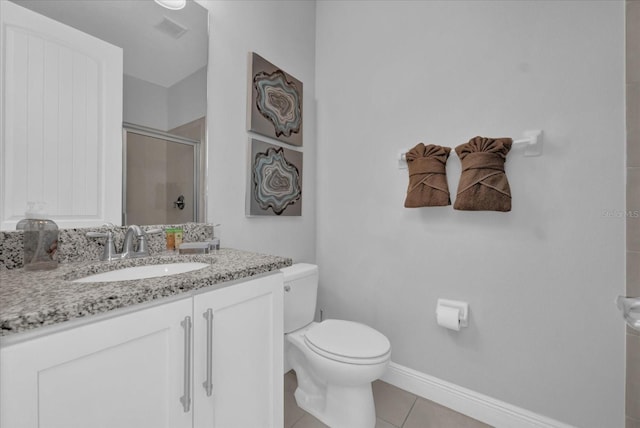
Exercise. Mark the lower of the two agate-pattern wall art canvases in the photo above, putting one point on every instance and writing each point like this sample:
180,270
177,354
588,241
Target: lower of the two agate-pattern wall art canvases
275,182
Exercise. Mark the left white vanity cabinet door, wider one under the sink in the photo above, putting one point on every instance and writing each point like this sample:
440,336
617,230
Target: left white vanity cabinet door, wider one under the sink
124,372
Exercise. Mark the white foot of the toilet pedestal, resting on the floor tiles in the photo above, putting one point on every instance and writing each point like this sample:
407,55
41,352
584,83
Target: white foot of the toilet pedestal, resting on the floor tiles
340,406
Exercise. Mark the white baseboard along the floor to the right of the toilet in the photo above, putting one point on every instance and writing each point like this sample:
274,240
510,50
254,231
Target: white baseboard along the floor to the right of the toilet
473,404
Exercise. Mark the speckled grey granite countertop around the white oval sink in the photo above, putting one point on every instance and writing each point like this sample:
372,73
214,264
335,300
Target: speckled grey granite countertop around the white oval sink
29,300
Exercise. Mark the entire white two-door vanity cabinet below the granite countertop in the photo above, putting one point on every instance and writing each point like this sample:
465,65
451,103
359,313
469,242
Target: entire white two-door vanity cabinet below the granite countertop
164,366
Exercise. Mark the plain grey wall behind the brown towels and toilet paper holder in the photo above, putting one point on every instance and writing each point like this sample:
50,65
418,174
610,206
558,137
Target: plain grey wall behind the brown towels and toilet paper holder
544,333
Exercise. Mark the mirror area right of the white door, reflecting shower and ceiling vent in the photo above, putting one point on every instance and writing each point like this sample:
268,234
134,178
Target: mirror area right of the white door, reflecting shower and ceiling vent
164,103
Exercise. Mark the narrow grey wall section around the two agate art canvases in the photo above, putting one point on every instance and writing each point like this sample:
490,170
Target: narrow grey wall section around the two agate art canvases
283,32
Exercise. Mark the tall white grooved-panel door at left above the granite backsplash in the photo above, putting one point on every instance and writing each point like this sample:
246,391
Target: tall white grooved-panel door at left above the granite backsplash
60,121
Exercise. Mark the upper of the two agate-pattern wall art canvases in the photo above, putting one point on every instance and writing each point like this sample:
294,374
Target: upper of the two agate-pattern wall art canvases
275,102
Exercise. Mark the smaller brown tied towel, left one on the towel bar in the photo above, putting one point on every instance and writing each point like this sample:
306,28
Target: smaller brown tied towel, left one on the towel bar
427,176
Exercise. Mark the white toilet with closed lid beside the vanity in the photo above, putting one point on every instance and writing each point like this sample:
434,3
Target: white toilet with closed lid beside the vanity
335,360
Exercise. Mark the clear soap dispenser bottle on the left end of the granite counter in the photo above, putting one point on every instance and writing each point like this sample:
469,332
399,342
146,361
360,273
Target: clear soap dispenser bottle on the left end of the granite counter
40,239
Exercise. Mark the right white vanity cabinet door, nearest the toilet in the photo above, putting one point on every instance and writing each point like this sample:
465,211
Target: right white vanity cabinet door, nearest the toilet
245,355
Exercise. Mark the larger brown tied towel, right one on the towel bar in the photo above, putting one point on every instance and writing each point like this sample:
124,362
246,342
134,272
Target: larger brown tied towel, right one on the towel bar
483,182
